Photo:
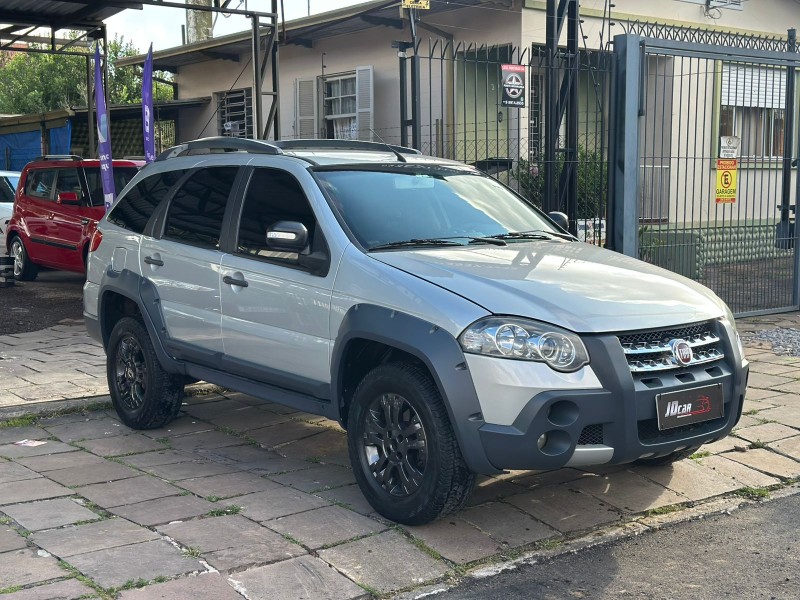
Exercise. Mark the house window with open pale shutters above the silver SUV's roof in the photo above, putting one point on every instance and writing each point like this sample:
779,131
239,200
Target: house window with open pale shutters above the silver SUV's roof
335,106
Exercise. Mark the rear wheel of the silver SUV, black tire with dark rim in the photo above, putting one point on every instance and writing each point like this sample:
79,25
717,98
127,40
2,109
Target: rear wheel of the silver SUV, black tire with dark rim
144,395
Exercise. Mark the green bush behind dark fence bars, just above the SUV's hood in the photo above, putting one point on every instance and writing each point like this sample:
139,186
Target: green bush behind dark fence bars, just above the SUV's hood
592,181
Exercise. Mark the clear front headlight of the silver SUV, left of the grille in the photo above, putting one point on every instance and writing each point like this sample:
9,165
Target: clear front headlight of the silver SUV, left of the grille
524,339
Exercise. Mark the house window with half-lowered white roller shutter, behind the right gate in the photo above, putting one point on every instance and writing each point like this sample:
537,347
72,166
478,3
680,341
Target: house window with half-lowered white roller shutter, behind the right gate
752,108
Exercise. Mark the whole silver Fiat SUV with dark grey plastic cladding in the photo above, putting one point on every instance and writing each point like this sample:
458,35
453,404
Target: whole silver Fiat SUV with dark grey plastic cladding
450,327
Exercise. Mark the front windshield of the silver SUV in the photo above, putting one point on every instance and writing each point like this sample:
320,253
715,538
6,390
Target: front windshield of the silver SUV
420,204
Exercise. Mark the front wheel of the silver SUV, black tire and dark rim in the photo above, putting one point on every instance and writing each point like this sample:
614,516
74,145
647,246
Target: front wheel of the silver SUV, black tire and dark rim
423,476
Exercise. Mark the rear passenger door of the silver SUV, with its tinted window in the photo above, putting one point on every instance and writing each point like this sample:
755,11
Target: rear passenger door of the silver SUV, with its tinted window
183,261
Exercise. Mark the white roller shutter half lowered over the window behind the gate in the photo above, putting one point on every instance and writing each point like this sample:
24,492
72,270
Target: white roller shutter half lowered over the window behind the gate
753,86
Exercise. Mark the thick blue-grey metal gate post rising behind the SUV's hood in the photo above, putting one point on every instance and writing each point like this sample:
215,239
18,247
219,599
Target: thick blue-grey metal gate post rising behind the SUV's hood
623,214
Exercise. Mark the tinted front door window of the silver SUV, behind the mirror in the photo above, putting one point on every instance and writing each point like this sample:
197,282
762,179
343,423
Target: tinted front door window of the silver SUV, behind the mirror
272,196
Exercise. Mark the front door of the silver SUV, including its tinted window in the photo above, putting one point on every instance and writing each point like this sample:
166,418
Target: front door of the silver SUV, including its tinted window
275,314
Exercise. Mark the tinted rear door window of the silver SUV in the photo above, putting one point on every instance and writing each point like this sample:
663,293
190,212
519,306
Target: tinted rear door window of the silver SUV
197,209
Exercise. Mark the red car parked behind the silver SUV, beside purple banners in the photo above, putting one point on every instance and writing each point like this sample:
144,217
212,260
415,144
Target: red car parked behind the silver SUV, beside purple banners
58,203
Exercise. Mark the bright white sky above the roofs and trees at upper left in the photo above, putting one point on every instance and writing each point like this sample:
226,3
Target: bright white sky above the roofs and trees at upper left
162,26
